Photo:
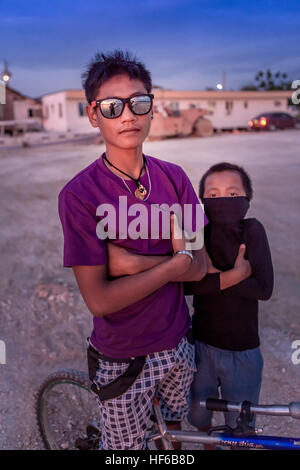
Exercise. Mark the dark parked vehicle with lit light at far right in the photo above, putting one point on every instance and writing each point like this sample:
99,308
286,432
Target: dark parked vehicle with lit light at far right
272,121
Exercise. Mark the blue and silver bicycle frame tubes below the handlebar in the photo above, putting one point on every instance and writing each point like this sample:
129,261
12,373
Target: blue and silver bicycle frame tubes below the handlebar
223,439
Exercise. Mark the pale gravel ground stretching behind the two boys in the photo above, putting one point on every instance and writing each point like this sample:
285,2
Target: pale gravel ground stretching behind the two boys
44,321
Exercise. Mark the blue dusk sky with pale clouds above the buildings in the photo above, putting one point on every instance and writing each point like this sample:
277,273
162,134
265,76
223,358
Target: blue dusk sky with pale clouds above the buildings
186,44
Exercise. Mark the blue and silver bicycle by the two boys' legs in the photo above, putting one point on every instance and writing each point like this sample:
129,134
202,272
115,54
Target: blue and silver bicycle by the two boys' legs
64,428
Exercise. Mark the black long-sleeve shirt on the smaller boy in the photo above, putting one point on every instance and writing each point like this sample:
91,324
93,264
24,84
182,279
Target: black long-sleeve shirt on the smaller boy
228,319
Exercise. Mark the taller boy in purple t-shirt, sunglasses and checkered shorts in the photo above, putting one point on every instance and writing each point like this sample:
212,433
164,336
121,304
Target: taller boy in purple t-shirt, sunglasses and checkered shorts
140,320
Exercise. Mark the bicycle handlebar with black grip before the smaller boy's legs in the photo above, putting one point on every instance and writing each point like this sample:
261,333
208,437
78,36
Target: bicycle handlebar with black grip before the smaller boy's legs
214,404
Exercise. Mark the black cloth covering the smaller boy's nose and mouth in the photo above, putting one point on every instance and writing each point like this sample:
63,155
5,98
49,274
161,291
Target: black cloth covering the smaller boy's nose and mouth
225,210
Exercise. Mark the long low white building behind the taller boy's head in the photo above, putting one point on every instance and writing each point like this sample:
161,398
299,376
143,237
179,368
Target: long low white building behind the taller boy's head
65,110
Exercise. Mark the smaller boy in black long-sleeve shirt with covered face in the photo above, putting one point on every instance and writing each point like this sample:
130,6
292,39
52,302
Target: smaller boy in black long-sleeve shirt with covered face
225,320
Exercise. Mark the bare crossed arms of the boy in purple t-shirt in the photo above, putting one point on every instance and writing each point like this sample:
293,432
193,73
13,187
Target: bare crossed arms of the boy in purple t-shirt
128,278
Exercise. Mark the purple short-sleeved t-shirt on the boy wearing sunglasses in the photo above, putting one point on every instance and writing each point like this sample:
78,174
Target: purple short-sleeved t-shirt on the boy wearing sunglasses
160,320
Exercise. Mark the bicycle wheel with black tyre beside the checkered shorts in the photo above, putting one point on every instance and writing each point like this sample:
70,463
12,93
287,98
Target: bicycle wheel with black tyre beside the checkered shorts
67,412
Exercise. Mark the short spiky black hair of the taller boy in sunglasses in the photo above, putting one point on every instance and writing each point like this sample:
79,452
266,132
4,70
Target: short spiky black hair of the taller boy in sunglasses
105,66
